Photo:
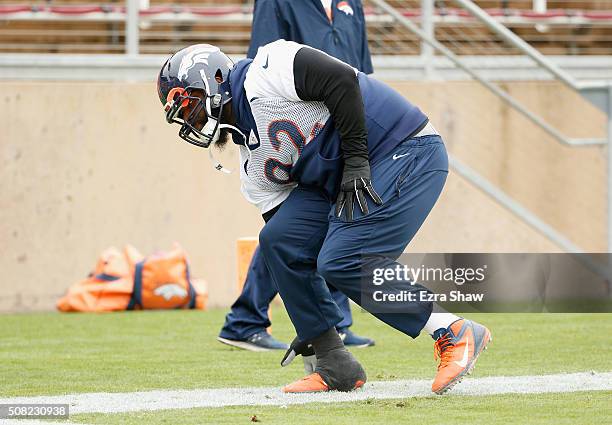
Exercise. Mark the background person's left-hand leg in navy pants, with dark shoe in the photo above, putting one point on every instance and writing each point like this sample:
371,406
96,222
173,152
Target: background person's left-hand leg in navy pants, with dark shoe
249,314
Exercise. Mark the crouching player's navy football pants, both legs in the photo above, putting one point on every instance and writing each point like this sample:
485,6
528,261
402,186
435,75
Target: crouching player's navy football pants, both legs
304,244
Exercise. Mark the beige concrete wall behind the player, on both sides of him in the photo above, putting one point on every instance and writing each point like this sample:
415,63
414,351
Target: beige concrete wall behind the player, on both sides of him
84,166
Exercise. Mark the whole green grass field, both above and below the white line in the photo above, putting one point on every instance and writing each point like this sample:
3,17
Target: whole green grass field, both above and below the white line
52,354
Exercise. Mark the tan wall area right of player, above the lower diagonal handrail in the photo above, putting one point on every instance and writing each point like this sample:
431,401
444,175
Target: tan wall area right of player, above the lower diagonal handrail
564,186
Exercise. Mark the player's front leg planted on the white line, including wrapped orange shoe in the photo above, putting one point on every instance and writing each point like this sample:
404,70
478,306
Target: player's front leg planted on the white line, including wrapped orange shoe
290,243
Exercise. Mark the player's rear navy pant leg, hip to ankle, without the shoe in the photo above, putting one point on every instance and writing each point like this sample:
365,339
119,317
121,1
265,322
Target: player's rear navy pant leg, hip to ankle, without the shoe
409,186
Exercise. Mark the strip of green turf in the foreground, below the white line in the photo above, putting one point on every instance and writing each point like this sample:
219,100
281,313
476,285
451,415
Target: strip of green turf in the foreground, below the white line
559,409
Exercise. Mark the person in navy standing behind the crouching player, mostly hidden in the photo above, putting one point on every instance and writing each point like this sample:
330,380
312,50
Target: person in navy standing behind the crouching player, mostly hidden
337,28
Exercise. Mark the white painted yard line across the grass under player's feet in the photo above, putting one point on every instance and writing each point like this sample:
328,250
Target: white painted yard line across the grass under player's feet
272,396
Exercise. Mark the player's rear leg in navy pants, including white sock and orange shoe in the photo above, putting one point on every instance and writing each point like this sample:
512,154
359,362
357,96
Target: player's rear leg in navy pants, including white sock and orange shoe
352,252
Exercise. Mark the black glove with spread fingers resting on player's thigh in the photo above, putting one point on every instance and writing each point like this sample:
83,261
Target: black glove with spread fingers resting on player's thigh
355,184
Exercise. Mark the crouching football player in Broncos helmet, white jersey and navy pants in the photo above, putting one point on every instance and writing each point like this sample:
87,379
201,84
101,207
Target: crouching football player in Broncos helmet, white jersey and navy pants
344,170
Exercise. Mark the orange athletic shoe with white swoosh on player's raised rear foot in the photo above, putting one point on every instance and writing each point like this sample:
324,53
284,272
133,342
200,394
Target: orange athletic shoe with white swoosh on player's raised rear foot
457,348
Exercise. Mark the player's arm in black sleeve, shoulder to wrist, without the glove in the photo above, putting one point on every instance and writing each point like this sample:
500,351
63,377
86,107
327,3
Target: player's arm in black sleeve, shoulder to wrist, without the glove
320,77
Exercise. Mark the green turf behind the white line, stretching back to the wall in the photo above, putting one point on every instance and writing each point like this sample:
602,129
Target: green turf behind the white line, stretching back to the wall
44,354
